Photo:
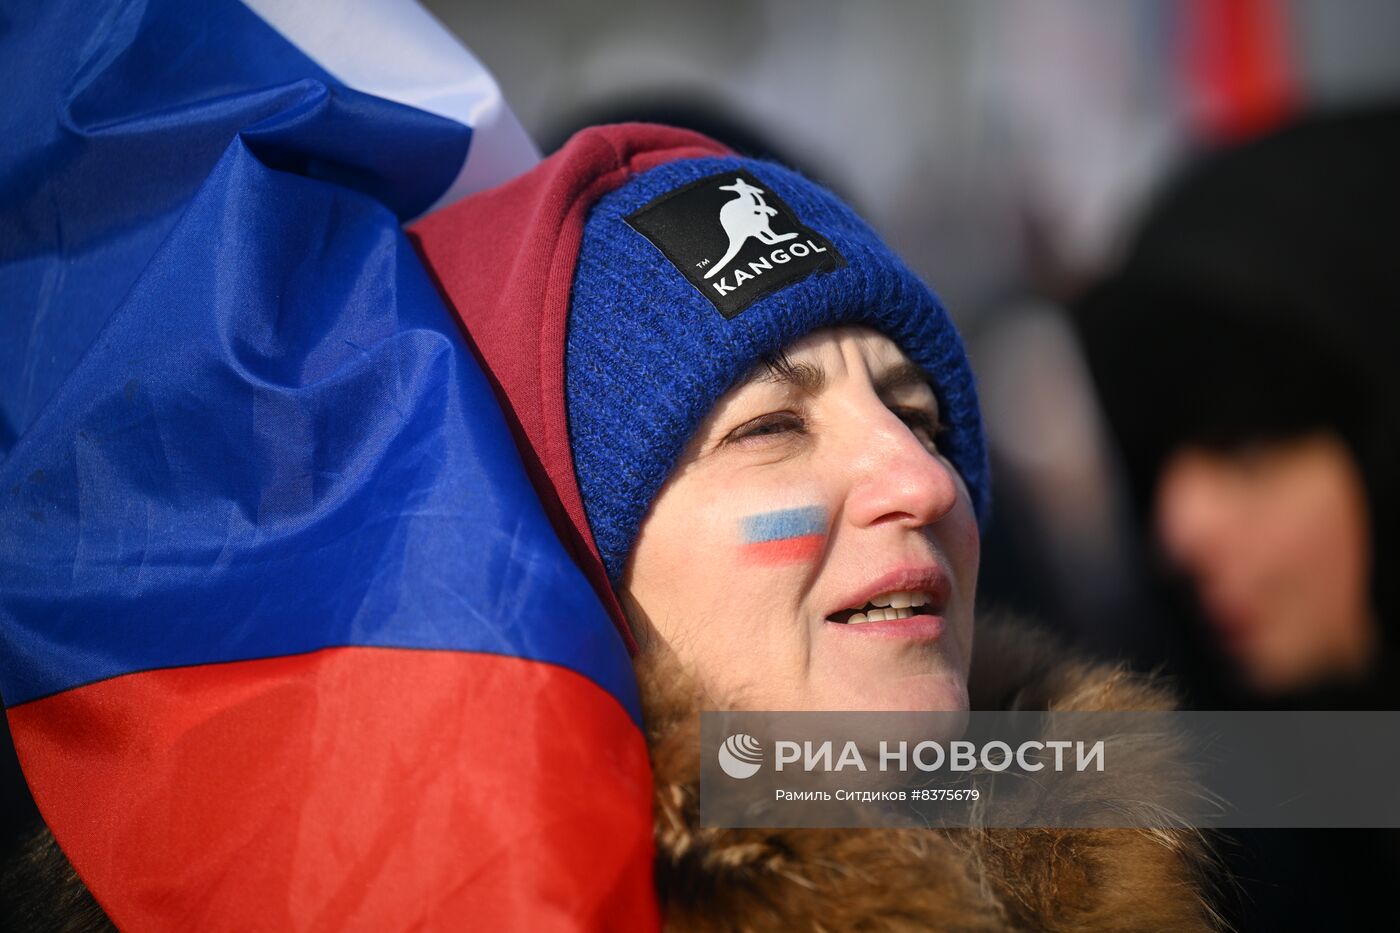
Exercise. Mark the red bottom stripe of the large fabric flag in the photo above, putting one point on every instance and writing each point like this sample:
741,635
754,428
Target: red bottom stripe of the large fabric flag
349,789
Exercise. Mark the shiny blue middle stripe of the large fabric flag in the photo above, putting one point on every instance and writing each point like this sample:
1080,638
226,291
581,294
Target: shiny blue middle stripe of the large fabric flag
240,421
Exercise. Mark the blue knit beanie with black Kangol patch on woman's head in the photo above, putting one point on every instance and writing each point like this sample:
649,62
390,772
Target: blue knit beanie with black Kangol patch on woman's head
694,272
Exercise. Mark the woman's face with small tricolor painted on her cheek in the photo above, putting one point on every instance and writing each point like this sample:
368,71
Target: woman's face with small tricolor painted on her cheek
813,548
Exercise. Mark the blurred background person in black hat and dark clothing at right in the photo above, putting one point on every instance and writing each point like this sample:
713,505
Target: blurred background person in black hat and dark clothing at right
1244,358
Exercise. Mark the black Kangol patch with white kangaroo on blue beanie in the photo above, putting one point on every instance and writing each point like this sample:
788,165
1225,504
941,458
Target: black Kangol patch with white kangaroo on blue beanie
734,239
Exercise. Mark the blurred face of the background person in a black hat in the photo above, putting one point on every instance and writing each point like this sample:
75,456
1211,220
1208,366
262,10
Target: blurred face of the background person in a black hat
1277,543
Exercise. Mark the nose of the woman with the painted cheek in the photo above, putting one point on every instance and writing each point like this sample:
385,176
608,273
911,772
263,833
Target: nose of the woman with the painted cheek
898,478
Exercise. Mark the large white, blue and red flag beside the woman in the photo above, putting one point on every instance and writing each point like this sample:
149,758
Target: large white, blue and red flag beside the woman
286,640
